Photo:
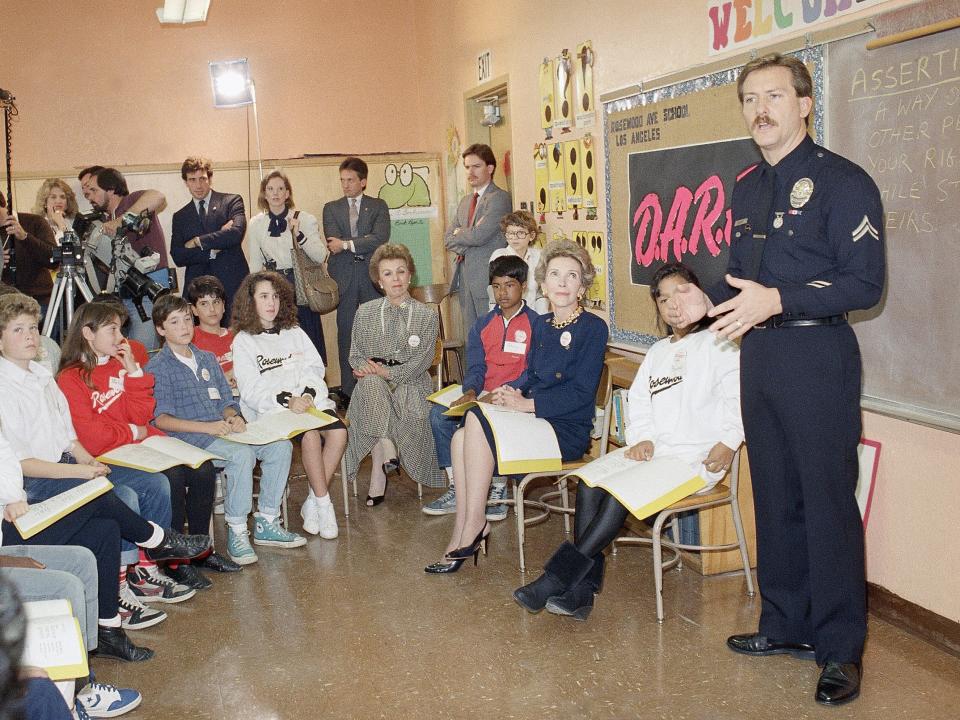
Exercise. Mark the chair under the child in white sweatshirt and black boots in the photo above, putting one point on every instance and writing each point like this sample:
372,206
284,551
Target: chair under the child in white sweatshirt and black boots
724,493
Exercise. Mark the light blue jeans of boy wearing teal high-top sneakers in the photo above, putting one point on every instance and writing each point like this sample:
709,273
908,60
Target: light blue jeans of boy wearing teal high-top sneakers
238,464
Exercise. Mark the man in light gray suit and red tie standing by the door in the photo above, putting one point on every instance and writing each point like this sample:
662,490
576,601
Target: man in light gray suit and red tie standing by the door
475,232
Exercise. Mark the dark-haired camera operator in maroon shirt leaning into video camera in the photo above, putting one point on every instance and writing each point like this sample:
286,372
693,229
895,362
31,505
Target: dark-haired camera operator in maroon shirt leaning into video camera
106,189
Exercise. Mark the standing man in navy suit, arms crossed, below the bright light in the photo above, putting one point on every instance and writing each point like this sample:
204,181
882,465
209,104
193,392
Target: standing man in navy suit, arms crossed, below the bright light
208,231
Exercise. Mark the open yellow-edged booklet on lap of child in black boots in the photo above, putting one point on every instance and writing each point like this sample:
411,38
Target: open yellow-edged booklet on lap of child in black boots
644,488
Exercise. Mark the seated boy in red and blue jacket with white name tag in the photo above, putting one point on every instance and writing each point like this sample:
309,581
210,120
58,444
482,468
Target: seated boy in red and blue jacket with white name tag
498,349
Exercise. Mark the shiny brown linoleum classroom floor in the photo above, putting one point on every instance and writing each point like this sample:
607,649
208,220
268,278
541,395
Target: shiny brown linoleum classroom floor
353,628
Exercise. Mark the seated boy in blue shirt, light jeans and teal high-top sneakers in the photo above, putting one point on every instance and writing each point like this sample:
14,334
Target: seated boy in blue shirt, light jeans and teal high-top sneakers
195,404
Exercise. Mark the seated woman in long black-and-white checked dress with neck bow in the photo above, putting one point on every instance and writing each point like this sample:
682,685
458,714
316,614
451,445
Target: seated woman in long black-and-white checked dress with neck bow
393,344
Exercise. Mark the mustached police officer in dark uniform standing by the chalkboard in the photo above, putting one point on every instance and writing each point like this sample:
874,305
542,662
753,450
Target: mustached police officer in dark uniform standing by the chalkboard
807,248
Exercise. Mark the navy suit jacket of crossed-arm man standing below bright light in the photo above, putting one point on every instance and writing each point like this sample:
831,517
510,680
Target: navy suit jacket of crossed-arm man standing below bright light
230,265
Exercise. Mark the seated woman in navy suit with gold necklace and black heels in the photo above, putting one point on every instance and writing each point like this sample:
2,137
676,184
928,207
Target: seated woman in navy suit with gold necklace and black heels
561,387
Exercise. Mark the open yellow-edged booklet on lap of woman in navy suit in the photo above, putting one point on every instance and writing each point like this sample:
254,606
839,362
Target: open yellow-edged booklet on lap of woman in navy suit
525,443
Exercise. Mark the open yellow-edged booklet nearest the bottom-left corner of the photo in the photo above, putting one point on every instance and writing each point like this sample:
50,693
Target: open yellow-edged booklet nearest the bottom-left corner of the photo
54,641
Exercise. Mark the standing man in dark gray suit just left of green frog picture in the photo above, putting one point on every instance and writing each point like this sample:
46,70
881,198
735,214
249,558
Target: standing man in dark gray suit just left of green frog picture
355,226
